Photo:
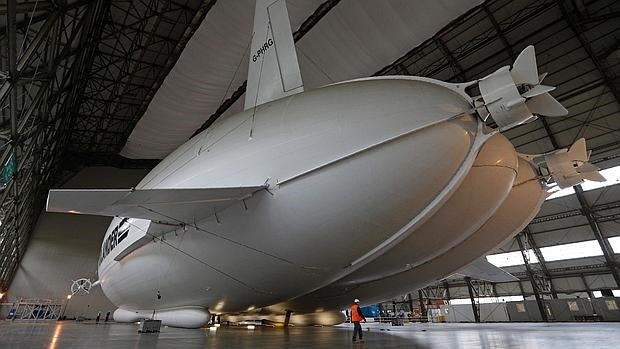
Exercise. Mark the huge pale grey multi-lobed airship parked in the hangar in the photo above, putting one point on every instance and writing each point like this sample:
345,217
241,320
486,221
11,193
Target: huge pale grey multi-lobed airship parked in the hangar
307,199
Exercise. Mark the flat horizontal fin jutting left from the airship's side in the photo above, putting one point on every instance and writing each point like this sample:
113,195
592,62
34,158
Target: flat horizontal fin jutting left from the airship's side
172,206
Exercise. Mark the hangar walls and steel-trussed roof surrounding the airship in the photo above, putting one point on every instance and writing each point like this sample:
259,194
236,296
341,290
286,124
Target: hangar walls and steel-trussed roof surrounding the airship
96,93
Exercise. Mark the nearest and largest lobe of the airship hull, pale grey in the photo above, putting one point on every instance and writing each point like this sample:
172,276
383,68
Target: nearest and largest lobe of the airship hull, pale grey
343,185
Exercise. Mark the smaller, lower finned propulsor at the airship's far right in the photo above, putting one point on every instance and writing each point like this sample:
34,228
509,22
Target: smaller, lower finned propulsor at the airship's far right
570,167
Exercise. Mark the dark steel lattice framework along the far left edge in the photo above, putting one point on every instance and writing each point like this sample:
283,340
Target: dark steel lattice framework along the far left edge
34,112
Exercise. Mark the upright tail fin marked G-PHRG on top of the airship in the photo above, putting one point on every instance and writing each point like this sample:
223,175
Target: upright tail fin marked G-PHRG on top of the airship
274,70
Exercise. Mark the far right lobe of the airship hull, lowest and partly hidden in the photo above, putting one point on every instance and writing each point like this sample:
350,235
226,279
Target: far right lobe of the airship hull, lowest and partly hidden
520,206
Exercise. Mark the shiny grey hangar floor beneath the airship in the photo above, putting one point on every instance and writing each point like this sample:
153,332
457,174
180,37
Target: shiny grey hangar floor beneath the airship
70,334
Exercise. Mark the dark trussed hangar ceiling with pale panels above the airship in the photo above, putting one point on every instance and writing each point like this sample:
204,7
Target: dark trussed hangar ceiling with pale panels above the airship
79,77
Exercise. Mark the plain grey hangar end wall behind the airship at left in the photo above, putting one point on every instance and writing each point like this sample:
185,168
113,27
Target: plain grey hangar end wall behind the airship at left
66,247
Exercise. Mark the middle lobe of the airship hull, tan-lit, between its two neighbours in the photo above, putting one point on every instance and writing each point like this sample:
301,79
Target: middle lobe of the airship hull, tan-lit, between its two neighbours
477,198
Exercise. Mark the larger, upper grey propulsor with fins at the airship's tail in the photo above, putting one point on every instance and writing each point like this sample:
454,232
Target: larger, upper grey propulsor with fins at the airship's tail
516,95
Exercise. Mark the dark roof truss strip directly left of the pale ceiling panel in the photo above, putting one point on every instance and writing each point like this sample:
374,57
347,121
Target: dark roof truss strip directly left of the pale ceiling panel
139,45
